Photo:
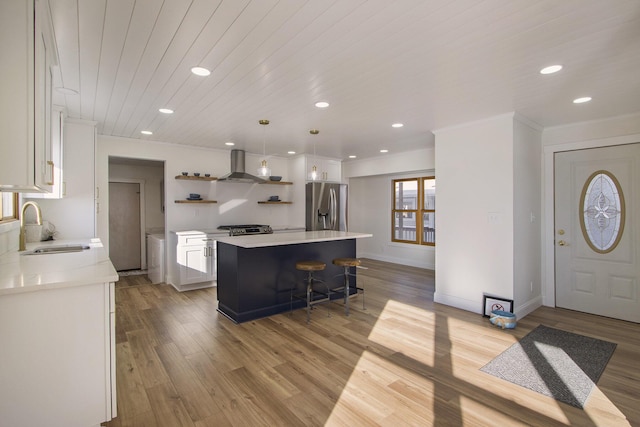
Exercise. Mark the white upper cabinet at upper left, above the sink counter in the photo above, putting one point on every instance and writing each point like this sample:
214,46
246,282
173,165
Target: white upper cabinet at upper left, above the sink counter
29,56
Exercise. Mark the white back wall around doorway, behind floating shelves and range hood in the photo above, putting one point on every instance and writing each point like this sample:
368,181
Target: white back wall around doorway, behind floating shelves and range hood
237,202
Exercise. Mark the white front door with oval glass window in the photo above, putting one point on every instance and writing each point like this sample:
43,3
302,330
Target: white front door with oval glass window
597,223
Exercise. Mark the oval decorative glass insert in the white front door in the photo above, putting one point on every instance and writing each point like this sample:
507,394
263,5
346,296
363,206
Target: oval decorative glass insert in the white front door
602,207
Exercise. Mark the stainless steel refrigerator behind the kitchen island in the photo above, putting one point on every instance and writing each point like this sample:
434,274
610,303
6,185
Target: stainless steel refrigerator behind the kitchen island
326,206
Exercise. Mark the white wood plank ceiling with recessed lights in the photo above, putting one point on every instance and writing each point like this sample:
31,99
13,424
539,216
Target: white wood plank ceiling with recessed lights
427,64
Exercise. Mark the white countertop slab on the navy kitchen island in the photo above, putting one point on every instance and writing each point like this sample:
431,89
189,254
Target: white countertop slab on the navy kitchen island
293,238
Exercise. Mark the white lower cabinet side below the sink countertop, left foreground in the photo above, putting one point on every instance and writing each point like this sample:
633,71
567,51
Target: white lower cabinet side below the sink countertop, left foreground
57,354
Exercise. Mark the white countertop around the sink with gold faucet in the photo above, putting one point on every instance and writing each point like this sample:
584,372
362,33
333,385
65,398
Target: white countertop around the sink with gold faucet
27,273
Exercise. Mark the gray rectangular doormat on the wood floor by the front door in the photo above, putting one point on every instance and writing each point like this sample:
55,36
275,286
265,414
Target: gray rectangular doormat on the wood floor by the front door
556,363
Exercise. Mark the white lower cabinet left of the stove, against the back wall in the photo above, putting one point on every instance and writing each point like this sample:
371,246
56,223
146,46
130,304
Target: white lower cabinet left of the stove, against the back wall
195,258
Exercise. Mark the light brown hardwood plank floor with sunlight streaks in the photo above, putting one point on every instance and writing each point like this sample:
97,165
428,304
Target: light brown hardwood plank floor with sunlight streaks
404,360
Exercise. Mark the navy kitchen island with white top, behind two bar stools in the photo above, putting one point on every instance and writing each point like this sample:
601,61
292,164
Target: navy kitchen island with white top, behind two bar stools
257,273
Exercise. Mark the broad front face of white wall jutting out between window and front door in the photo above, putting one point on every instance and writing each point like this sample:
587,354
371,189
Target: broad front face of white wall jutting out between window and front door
475,202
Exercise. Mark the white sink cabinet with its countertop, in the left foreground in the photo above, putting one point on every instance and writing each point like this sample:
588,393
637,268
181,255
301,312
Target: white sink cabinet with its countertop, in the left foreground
57,335
